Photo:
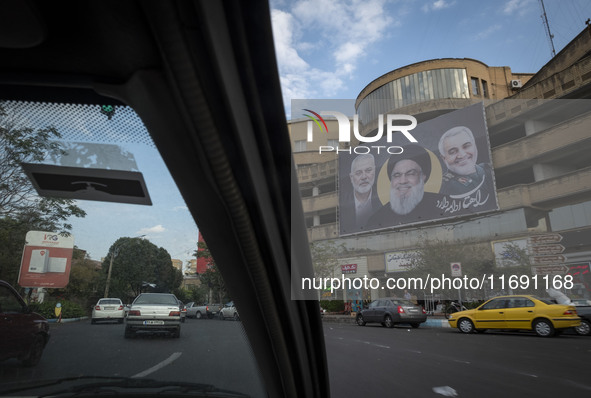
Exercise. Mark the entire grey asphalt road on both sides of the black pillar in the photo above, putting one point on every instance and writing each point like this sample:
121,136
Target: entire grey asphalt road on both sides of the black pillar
369,361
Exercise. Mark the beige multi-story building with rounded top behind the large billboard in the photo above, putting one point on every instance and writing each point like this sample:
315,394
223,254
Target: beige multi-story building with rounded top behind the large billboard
538,140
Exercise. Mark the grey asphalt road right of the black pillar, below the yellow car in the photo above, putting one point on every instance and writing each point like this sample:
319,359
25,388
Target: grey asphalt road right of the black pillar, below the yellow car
374,361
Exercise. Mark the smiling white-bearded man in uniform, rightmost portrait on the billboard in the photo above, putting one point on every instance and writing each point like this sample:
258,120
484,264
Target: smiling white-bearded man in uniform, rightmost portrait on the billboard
464,176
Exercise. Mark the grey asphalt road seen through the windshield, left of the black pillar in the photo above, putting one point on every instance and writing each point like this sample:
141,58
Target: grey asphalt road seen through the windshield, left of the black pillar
208,351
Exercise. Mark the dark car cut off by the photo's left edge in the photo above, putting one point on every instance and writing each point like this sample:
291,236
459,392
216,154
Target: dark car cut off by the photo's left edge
23,333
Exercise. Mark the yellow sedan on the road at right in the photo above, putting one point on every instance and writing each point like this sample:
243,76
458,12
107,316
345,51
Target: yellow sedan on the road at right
517,312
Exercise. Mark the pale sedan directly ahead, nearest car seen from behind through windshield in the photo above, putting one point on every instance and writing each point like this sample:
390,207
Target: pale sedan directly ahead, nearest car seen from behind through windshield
154,312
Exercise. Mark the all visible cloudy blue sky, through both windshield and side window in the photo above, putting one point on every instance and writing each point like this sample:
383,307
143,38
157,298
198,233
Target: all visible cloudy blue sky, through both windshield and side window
333,49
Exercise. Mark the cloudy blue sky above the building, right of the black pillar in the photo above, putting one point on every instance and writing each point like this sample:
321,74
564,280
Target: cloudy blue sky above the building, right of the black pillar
329,49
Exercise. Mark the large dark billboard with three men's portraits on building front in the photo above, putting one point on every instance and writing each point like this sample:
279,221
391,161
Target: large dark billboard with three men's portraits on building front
446,173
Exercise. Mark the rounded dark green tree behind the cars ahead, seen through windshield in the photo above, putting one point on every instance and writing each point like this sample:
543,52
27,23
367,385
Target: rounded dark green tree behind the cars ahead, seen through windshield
136,263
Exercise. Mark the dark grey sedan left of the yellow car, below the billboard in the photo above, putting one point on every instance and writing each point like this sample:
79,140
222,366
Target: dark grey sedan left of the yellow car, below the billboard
391,311
